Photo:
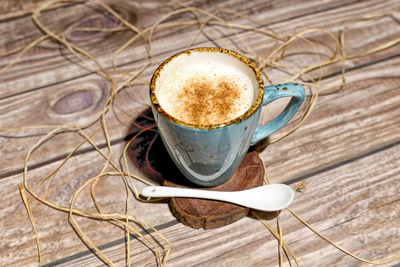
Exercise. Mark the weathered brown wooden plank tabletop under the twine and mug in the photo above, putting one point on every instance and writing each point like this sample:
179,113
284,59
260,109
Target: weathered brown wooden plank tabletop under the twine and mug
347,150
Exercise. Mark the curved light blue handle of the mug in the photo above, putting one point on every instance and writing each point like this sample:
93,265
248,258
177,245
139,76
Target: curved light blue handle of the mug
272,93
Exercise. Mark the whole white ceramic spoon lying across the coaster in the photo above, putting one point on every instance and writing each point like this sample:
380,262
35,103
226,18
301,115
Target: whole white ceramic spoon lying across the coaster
269,197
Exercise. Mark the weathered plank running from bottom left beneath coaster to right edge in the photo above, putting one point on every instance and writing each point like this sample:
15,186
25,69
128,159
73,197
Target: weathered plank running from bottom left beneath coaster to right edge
331,135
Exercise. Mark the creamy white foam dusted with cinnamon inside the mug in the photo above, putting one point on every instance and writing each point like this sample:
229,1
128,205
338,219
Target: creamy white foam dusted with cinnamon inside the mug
206,88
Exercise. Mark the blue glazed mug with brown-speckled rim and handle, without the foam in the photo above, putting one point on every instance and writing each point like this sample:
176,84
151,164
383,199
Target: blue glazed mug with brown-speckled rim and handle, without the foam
208,155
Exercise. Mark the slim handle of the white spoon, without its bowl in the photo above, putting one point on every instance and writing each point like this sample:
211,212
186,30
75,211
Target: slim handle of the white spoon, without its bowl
165,191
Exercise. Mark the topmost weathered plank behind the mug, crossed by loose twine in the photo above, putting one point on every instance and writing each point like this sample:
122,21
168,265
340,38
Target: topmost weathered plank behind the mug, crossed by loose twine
50,58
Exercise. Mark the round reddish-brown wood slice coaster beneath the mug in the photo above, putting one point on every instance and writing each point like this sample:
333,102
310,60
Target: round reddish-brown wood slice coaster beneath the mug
148,153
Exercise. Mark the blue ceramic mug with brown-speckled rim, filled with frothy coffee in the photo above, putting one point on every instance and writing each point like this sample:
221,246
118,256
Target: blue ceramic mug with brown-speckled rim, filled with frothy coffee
208,154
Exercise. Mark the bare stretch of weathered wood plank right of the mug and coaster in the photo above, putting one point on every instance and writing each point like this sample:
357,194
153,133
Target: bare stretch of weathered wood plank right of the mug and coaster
363,117
